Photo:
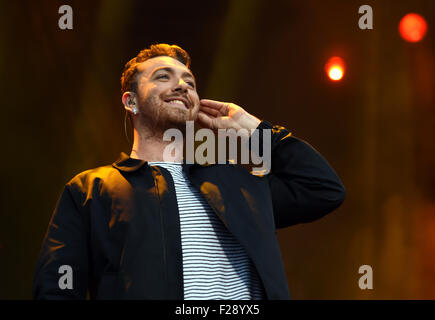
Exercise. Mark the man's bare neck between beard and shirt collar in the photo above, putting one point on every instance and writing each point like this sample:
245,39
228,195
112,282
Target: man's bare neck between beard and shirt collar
150,146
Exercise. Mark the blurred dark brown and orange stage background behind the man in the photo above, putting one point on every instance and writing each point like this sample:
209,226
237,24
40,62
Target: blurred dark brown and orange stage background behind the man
62,114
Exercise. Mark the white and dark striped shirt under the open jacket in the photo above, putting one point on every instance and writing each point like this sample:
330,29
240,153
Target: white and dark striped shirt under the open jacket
215,265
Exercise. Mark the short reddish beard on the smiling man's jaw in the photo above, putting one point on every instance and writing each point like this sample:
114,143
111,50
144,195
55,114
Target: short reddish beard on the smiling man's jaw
159,116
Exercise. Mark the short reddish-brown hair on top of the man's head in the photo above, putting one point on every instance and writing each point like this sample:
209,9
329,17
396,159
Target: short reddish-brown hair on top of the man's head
128,78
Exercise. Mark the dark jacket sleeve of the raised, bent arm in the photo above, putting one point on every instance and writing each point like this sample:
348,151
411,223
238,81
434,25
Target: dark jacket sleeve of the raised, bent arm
303,185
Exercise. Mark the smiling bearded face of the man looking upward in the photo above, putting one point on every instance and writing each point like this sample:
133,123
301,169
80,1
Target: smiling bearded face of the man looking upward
166,93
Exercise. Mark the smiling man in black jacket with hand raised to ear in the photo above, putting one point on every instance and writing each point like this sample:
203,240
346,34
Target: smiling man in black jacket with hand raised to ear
145,228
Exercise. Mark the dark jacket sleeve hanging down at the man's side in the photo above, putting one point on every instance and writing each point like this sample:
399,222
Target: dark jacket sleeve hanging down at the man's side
64,244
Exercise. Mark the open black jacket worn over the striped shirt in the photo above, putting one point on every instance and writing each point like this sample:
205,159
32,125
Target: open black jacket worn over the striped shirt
117,226
